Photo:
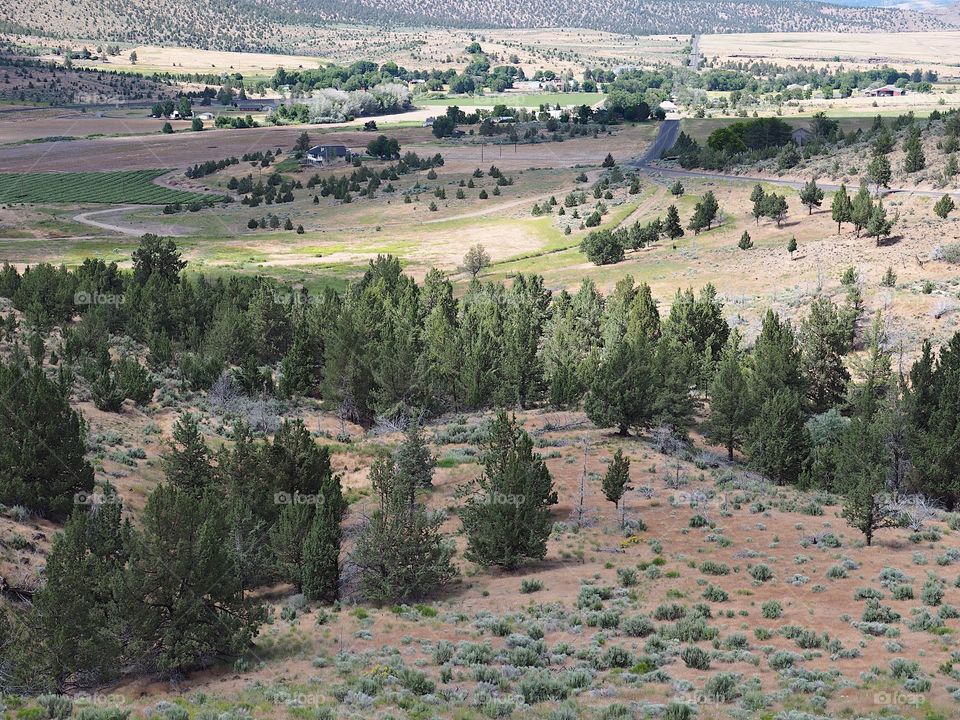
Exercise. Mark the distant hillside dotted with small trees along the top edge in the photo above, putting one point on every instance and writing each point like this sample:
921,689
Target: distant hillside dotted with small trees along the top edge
258,25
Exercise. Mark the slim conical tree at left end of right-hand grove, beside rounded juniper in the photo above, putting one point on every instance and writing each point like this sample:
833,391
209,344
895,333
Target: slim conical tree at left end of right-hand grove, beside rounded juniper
730,406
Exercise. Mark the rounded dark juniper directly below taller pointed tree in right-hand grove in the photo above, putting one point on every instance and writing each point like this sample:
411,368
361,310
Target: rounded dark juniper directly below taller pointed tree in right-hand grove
778,441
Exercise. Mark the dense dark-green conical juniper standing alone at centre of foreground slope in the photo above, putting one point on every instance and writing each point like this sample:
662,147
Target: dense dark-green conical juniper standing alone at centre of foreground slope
507,518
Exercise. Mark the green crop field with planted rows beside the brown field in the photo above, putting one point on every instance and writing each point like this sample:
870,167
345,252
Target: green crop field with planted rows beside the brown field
134,186
